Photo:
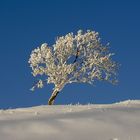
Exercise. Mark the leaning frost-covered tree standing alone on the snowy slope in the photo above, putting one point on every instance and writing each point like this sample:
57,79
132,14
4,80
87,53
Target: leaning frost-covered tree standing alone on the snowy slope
73,58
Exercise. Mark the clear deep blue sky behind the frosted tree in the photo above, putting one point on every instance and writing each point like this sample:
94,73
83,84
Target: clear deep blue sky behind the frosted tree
24,25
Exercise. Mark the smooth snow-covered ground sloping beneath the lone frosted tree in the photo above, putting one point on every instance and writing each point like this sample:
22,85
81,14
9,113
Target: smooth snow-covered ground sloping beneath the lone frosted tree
119,121
